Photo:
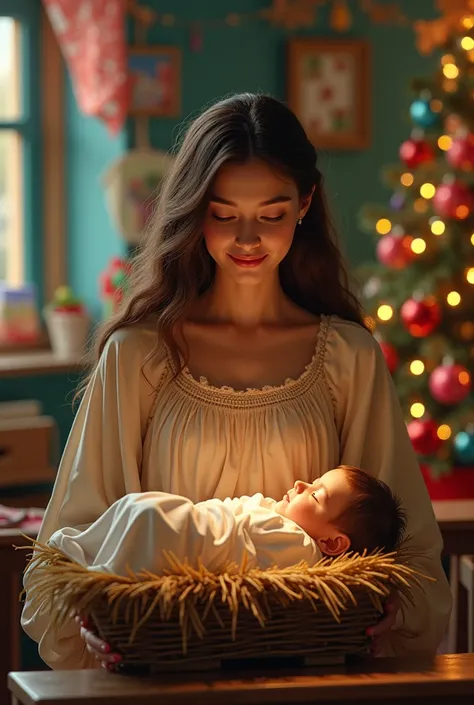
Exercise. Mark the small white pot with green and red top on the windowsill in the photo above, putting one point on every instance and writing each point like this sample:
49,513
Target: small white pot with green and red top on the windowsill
67,321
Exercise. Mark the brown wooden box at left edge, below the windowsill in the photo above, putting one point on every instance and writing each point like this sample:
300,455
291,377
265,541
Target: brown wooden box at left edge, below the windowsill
26,451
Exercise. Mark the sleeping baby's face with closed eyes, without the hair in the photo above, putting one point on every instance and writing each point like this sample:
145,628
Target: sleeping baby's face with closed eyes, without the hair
315,507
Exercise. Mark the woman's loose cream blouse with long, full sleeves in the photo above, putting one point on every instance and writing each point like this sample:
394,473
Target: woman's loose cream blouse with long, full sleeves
139,428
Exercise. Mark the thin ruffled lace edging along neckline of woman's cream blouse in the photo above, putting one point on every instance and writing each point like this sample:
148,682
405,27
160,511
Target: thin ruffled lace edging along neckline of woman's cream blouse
310,370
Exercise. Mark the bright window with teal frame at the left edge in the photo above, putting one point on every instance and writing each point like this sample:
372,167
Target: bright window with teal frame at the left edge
20,143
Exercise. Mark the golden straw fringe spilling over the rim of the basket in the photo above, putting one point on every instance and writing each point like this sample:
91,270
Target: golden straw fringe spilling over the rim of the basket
60,585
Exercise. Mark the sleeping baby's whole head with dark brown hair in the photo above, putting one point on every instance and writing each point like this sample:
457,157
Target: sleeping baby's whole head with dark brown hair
346,509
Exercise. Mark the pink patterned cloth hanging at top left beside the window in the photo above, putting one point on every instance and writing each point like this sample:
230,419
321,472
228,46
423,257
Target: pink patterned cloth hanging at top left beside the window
91,34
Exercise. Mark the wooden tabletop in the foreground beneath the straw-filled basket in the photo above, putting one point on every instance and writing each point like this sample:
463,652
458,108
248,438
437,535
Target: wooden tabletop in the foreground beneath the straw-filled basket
448,680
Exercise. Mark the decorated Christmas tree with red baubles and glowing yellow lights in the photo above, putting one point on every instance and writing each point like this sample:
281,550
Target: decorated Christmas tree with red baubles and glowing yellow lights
419,297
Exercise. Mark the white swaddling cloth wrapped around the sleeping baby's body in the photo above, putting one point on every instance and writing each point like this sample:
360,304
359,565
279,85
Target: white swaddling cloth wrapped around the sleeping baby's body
134,531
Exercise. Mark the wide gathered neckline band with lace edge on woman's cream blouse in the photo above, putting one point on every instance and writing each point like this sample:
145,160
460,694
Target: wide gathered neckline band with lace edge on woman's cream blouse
290,388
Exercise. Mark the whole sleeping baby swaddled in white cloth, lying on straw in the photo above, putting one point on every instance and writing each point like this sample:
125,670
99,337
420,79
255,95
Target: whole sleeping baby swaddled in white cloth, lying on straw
345,509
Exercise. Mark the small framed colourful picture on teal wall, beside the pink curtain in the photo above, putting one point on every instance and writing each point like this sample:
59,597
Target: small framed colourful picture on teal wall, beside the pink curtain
155,73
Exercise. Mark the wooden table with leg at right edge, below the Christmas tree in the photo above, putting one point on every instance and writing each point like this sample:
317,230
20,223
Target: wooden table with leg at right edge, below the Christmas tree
456,522
